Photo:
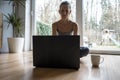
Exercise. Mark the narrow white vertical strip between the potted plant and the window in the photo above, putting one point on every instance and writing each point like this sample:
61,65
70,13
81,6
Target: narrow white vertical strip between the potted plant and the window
28,25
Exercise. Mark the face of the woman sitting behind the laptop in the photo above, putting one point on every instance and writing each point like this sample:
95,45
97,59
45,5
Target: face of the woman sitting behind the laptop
65,11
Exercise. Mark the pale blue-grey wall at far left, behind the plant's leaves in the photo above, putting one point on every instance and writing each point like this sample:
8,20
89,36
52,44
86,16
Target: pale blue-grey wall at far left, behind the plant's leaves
5,8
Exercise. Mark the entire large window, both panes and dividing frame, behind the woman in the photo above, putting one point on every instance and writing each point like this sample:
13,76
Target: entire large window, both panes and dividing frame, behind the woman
99,28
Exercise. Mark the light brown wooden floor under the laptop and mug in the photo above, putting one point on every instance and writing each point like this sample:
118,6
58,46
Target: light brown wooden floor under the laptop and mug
19,66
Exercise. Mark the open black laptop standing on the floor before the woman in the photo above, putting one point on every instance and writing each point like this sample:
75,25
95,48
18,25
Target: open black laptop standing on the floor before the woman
56,51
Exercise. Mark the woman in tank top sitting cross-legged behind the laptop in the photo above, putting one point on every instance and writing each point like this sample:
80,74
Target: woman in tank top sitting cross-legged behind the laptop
67,27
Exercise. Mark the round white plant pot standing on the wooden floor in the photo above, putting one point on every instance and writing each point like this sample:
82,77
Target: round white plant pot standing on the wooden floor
15,45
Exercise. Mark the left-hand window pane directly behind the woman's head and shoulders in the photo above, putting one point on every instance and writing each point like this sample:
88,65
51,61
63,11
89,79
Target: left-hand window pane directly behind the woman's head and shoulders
46,12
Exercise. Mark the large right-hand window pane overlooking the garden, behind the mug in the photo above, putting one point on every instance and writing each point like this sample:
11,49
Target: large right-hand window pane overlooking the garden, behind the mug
102,24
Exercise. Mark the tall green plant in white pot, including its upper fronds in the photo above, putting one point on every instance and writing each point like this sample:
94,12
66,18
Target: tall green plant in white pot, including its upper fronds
16,42
